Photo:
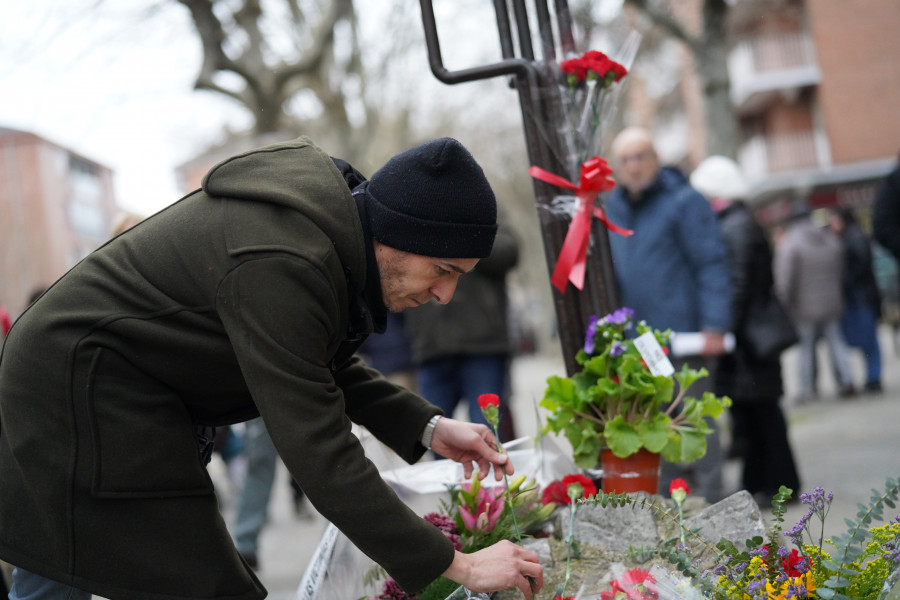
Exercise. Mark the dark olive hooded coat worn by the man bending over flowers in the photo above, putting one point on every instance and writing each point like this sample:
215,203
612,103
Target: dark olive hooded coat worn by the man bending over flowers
244,296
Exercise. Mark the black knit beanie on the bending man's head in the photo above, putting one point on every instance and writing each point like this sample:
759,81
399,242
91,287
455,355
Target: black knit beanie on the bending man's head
433,200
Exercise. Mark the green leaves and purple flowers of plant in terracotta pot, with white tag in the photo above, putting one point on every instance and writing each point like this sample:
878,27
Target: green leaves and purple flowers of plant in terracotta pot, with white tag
625,399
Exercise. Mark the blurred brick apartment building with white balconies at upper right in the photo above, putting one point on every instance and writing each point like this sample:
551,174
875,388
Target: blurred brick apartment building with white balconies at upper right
816,88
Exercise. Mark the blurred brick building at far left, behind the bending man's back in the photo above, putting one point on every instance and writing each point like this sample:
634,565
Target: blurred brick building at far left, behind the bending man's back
56,206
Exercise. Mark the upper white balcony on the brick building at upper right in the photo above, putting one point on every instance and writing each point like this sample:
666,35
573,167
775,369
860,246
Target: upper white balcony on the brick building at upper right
771,62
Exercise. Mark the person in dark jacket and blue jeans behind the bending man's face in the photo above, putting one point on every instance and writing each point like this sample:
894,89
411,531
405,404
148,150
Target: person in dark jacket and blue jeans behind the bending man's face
463,349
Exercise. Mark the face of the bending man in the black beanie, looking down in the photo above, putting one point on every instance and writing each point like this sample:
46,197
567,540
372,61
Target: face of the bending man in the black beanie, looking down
409,280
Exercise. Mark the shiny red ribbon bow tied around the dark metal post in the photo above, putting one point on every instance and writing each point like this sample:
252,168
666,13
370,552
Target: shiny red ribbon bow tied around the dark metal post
570,266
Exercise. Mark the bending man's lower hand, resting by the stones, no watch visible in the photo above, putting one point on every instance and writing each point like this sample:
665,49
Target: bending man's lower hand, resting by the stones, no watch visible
496,568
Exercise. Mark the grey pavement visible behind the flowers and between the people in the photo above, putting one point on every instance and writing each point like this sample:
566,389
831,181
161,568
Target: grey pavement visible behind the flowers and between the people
848,447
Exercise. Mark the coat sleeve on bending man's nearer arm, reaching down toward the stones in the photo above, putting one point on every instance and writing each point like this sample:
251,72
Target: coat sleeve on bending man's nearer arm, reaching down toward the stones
281,313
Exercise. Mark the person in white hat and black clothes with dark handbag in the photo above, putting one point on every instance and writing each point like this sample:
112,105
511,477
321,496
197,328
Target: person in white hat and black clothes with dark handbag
752,382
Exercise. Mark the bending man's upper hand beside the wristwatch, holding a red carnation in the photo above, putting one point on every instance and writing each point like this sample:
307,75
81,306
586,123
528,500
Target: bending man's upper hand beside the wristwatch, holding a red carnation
467,443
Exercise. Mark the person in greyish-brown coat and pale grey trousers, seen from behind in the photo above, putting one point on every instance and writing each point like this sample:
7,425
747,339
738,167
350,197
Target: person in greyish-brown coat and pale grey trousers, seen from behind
809,273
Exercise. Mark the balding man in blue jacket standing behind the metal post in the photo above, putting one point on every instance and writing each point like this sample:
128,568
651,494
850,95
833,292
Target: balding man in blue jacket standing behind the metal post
673,272
